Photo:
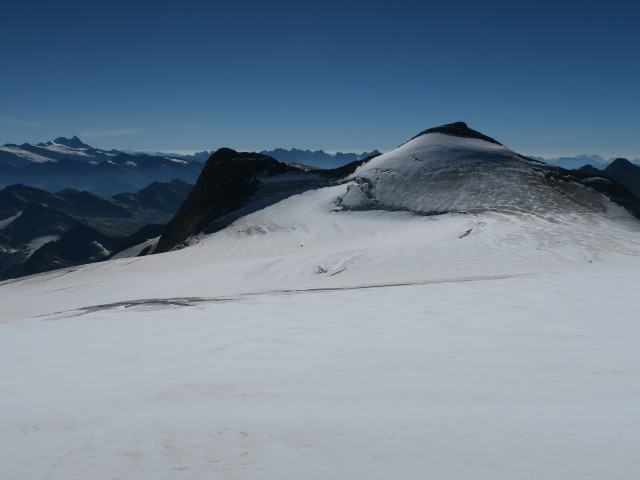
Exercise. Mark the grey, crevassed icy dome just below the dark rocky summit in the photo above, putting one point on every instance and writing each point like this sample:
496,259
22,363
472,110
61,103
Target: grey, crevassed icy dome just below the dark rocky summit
436,172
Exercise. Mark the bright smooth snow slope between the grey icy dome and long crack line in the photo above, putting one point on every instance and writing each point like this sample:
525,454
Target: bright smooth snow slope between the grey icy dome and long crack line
308,242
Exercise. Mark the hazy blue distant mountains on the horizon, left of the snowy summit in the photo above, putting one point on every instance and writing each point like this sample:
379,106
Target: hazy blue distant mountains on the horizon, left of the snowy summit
70,163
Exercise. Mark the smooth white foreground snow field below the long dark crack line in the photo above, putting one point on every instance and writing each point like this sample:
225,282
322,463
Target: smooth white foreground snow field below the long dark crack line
512,378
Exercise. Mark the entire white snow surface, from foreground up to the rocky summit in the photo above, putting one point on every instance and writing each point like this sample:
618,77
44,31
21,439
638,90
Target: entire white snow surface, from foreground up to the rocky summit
345,333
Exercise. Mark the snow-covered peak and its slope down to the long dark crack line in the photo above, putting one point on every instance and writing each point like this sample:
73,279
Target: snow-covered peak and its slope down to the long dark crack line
499,214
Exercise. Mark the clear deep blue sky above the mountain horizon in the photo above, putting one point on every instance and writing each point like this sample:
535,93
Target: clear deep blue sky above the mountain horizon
545,78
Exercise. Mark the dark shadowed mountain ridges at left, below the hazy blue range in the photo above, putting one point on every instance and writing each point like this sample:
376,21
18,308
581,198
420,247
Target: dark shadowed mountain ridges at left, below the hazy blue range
40,231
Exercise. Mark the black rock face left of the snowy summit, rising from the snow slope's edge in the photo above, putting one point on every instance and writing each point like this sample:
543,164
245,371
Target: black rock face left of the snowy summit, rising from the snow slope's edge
227,182
